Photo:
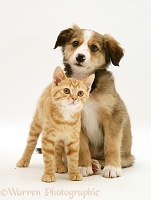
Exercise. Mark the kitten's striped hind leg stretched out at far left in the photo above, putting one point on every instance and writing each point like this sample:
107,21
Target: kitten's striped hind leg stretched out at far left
34,133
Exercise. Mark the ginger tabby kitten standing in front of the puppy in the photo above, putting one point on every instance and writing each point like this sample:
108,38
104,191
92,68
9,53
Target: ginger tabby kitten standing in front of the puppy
58,117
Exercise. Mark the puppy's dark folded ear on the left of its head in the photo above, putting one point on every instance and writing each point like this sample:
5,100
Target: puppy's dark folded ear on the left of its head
64,37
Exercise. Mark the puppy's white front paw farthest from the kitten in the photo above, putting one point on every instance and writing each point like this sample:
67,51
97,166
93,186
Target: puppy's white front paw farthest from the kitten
111,172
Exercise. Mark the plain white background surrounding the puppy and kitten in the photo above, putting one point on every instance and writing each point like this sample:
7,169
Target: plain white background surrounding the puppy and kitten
28,31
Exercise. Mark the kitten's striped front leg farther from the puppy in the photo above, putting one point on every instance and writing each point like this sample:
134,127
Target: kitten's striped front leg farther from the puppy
48,150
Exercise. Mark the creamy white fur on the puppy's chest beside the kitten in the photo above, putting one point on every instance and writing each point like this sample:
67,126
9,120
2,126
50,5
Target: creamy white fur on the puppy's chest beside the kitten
90,122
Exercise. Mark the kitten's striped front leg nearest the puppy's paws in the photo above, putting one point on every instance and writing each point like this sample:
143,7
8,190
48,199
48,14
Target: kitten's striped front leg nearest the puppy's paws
72,149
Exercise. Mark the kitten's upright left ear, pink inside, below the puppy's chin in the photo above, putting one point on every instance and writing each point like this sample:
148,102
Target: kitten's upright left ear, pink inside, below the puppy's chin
58,76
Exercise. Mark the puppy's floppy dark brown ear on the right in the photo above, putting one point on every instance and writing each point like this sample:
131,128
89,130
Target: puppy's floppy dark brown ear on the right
114,51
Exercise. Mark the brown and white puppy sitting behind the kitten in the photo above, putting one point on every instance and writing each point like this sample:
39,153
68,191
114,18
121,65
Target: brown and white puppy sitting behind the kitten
106,130
